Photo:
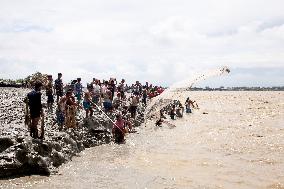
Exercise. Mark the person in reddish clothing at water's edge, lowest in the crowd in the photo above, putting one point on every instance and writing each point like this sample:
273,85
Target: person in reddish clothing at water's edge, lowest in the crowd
118,129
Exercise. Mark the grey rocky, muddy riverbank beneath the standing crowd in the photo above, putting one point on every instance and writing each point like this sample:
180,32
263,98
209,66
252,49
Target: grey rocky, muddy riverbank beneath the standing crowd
22,155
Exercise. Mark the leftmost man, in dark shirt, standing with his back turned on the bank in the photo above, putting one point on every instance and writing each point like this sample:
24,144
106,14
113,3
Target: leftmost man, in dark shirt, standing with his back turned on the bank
34,102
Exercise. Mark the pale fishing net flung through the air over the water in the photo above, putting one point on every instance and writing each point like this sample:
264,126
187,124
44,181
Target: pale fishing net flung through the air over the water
174,92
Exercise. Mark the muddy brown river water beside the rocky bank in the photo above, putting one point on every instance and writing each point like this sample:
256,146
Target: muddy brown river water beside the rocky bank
235,145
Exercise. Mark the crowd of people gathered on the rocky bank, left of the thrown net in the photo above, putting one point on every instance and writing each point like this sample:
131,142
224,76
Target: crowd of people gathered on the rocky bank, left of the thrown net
107,96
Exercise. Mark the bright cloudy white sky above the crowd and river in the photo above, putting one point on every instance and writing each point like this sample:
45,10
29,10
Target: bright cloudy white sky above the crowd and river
160,41
